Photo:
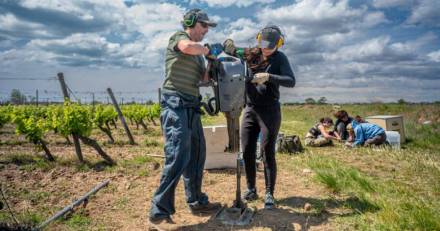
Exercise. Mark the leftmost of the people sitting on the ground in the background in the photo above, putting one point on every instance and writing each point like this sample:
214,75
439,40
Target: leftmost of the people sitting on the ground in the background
320,134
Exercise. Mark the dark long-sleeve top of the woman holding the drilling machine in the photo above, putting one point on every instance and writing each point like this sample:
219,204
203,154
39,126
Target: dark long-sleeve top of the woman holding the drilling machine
268,93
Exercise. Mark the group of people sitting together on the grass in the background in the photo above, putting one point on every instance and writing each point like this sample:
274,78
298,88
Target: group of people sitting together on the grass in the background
354,131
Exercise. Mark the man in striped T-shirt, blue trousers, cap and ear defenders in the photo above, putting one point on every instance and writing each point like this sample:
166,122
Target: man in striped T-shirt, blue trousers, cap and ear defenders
184,147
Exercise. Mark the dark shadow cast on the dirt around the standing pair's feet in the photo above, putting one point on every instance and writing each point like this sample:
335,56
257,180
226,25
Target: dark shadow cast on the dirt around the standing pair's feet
291,215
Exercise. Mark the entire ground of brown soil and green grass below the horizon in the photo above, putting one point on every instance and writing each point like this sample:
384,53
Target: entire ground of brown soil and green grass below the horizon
331,188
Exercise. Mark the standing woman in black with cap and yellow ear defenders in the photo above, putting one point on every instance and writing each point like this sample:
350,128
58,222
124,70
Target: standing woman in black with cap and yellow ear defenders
271,69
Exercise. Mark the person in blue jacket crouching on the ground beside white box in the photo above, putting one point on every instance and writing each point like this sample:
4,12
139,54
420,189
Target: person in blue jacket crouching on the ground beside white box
366,134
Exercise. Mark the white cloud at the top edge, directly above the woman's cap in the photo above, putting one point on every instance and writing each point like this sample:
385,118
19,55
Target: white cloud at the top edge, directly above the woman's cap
314,18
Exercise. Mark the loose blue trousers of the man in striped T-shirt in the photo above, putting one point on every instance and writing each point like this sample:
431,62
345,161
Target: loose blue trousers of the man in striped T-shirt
185,153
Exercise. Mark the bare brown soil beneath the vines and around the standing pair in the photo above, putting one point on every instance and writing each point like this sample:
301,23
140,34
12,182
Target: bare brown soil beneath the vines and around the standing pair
36,189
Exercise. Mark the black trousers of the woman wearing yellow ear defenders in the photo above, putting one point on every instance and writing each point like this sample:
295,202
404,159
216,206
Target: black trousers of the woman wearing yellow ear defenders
266,120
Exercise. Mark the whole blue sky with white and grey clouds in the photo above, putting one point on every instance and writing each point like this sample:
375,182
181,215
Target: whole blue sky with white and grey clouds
346,51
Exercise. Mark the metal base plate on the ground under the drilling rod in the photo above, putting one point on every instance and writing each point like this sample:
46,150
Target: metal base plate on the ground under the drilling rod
235,216
